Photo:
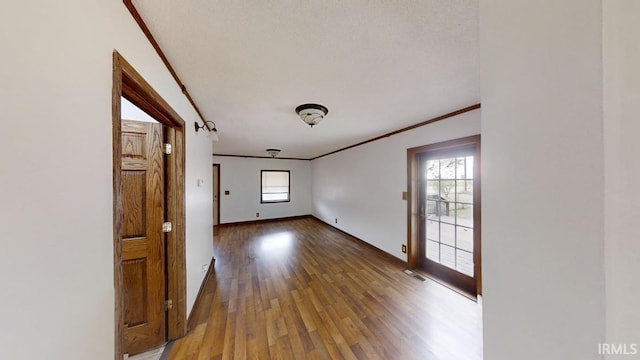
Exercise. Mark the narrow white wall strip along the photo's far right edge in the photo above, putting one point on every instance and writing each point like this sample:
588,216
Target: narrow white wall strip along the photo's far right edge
622,169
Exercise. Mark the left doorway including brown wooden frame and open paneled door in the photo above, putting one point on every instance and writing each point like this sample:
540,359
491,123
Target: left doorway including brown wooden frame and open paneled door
148,223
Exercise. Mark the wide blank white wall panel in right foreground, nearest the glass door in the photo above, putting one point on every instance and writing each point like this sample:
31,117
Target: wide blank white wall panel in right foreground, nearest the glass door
542,179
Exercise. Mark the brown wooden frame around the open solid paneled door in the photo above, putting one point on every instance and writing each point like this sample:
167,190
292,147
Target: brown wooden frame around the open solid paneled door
128,83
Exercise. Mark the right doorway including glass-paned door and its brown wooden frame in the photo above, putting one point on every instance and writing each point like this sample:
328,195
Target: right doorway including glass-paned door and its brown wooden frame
444,213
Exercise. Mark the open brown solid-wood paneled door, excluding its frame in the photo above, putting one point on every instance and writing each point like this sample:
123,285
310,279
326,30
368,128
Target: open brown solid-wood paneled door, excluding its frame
143,250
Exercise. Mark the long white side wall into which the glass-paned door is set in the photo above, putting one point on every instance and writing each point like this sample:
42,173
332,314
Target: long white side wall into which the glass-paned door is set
362,187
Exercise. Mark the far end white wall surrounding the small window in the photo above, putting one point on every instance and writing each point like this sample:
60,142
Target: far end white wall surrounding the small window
241,176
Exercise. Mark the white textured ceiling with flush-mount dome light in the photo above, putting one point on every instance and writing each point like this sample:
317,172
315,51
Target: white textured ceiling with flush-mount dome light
378,65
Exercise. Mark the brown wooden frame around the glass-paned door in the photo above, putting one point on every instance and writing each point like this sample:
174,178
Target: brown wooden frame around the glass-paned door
413,216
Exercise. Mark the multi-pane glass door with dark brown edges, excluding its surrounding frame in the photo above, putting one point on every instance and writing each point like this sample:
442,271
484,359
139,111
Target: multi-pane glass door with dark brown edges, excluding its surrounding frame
449,207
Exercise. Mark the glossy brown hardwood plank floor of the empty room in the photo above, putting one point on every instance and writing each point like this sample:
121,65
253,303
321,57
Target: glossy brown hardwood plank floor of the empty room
300,289
